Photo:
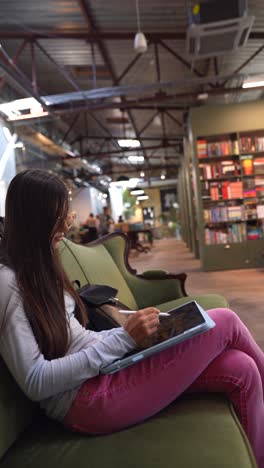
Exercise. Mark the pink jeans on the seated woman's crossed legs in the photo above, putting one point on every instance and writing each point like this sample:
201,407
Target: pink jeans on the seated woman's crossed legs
225,359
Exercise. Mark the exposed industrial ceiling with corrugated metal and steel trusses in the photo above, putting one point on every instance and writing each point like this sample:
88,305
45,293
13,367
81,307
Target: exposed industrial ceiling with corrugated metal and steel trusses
85,48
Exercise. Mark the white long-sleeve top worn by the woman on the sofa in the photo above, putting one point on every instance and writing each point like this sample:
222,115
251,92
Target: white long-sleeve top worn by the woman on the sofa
53,383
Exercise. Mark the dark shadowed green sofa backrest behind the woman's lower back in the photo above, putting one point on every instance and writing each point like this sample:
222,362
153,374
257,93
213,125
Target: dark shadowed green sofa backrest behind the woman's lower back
16,411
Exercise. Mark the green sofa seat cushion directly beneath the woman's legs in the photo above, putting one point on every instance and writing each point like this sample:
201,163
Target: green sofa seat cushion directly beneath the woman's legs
200,432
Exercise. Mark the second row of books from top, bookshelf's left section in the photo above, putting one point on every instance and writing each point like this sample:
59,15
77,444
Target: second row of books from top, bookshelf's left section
221,169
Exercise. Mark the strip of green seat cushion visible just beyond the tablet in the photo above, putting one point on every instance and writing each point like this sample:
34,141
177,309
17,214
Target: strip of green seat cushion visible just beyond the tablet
207,301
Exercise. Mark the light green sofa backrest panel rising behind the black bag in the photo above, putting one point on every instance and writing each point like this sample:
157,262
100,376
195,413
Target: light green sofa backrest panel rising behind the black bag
98,267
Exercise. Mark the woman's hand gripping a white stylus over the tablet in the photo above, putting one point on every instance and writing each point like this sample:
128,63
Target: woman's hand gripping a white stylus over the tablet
142,324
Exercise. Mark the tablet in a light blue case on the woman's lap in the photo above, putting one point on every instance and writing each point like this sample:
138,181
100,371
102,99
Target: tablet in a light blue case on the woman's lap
182,323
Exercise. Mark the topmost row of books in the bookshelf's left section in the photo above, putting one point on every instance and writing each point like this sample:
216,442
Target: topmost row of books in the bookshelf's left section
218,148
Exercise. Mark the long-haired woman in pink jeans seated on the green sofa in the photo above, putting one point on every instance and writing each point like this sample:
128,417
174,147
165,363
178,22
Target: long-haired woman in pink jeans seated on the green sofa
56,361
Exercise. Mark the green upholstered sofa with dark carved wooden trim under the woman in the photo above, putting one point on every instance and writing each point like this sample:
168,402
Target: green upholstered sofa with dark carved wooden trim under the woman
196,431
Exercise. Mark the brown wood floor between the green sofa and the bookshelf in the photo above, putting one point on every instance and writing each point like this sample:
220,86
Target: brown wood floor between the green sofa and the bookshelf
242,288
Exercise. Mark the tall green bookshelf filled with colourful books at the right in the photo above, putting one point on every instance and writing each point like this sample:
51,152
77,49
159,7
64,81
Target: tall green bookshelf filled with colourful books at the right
230,196
